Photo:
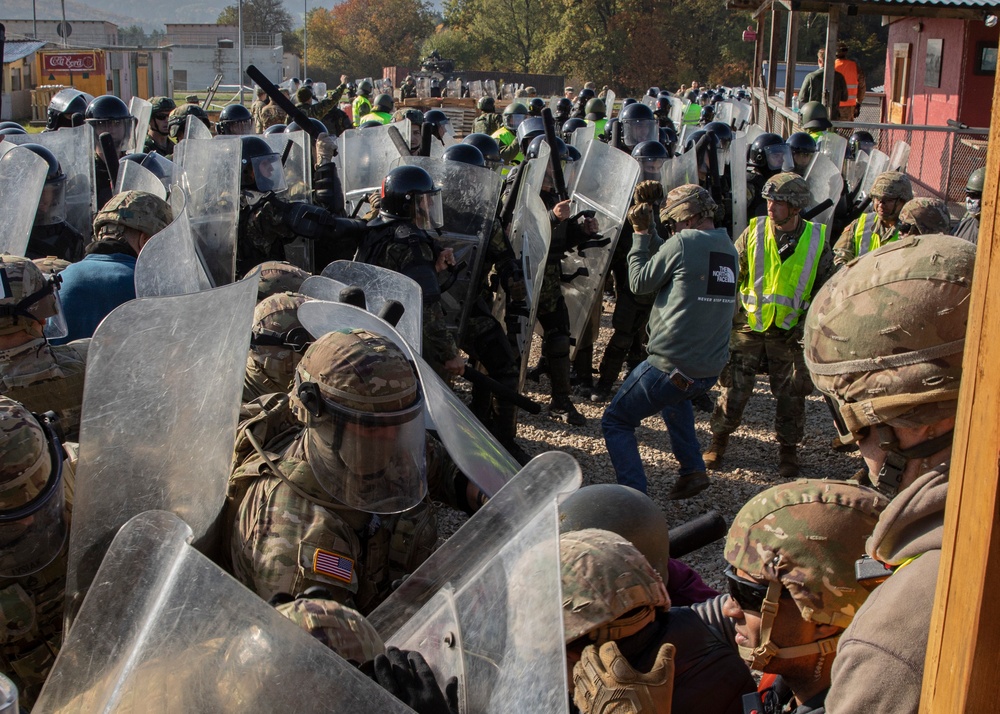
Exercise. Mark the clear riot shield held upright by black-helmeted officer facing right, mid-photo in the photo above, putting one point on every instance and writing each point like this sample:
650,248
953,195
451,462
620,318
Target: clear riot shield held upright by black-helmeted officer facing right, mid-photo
469,196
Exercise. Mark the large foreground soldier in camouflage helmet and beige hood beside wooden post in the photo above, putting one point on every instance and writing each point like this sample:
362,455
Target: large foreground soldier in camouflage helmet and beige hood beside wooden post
885,339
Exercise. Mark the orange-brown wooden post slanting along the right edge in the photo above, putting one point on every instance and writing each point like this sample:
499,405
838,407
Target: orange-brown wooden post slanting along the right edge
963,650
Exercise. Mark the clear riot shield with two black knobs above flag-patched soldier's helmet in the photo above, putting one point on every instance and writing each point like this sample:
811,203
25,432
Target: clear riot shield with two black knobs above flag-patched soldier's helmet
381,285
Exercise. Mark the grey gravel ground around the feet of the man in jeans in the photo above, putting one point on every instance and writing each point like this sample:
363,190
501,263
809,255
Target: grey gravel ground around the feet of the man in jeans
751,463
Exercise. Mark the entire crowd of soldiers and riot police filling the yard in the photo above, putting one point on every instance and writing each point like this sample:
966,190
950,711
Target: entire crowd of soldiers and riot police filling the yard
730,253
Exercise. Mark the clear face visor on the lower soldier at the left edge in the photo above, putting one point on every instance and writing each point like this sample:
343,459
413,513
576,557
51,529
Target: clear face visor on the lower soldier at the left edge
32,535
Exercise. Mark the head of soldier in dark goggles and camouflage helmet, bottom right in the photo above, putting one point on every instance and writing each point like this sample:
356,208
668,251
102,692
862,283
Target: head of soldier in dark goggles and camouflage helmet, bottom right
796,544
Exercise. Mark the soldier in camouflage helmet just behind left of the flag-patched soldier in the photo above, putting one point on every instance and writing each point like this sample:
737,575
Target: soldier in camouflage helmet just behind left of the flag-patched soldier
276,346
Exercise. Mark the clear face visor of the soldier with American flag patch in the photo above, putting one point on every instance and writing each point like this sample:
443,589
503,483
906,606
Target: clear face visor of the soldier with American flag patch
372,462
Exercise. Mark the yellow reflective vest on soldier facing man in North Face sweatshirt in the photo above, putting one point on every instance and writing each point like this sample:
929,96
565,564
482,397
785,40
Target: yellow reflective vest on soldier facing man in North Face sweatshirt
776,292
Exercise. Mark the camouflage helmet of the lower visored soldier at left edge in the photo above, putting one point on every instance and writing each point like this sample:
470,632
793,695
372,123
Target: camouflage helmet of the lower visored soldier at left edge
24,455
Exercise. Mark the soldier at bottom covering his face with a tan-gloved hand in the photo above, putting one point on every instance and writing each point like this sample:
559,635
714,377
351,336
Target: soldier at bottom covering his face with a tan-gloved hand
622,636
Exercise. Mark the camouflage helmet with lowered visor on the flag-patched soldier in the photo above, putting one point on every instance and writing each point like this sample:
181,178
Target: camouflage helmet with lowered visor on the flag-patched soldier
360,399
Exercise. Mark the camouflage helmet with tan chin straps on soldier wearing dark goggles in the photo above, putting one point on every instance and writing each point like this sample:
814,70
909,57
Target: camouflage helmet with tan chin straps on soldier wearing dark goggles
803,538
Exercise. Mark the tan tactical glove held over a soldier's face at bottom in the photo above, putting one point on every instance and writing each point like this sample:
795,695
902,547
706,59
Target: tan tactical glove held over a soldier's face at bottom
605,682
